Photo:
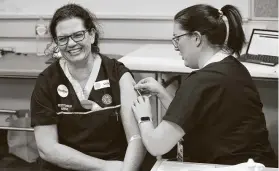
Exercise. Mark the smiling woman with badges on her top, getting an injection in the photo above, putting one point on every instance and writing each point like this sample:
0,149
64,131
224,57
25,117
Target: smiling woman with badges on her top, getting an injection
81,104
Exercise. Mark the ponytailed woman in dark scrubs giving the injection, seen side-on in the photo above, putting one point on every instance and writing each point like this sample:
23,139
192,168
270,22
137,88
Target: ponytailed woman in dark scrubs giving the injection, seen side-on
216,115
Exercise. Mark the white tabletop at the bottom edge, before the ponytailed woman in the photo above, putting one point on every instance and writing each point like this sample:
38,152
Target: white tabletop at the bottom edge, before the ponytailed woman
163,165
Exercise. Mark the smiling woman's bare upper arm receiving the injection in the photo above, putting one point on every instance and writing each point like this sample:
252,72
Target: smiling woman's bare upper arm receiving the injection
128,95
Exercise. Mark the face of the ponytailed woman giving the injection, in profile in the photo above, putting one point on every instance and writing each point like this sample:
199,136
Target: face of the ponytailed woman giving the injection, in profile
188,45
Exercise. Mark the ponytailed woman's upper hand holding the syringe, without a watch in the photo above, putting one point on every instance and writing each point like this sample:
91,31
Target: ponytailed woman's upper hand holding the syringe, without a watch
149,86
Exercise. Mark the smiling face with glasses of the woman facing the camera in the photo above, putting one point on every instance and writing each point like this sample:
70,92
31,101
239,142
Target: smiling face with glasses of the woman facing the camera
74,51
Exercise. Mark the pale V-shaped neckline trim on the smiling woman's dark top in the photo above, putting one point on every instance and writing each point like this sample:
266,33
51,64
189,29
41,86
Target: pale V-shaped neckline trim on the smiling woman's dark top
83,94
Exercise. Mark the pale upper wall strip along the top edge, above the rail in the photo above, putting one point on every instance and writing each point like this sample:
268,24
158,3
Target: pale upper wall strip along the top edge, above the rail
160,8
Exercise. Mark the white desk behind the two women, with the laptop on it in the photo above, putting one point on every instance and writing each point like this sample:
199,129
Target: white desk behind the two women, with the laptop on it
162,58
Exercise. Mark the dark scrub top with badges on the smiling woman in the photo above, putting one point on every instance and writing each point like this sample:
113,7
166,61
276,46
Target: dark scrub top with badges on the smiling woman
99,134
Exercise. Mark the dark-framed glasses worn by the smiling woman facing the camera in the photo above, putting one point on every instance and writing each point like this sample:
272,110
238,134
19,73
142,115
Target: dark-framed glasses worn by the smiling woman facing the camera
76,37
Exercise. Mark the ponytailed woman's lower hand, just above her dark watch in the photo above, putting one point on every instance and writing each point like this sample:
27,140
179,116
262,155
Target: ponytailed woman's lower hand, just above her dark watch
142,107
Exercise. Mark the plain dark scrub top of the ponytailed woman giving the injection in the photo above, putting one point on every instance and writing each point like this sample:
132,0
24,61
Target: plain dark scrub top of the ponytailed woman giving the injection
220,111
